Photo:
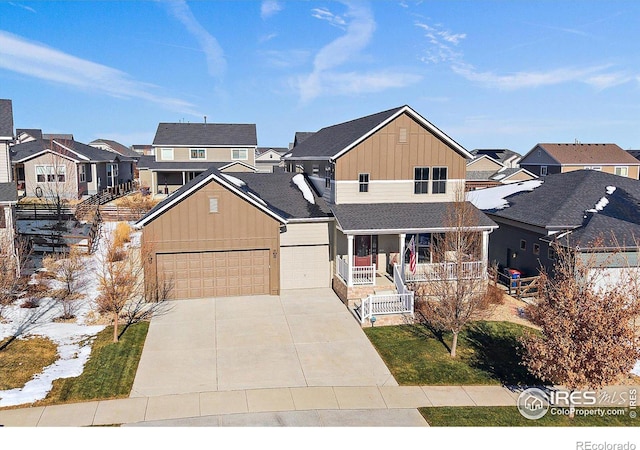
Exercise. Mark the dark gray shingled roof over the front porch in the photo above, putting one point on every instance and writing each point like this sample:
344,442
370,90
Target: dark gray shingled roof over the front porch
393,218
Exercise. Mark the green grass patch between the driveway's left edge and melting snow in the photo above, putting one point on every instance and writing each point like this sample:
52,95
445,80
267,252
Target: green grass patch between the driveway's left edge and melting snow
109,372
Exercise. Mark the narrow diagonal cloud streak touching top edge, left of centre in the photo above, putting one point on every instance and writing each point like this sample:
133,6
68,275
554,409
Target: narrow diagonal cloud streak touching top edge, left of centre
216,62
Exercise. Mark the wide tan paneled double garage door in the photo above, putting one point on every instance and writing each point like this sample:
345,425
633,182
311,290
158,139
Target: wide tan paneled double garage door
216,274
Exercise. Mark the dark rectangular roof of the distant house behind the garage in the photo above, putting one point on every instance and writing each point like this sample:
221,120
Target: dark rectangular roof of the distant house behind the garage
206,134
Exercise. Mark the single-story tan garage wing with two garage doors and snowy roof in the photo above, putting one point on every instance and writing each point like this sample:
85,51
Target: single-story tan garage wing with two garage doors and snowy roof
246,234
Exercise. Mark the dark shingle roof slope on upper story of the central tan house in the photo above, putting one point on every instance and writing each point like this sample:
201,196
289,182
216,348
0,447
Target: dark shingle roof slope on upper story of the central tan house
331,140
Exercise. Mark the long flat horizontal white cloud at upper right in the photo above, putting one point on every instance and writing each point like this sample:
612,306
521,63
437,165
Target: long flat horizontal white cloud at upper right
594,76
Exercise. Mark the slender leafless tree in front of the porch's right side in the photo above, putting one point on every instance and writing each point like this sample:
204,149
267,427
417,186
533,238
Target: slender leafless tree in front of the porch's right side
456,290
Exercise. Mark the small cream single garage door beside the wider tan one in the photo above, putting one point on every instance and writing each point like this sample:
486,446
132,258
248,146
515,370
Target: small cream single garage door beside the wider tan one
304,267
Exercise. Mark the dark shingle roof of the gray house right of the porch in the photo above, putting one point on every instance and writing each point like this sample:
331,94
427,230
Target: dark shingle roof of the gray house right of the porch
561,200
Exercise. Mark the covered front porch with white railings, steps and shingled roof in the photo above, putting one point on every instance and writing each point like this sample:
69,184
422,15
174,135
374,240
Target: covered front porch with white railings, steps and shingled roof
366,254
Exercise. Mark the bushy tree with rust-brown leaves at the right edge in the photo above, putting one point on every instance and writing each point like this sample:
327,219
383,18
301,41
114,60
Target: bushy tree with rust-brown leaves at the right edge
589,338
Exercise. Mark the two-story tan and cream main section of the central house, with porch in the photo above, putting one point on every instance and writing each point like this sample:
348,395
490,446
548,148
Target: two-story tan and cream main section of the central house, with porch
388,177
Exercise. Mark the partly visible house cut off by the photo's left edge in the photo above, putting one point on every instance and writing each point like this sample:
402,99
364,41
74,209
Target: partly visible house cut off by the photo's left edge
8,191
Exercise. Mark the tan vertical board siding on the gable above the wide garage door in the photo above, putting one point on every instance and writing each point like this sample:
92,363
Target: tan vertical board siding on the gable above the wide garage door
238,225
